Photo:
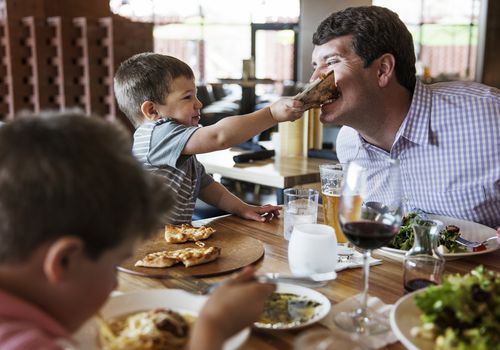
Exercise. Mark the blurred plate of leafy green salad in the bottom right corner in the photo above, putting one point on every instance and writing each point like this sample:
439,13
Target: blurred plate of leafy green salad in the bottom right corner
458,314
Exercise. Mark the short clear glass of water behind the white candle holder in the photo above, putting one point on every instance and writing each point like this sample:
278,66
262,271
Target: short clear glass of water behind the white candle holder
300,207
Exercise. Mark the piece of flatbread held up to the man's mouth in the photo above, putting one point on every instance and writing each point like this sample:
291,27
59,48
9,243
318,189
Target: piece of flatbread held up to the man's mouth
319,91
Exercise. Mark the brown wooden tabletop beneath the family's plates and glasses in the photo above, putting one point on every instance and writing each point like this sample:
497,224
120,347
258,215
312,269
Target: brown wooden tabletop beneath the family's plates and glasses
386,279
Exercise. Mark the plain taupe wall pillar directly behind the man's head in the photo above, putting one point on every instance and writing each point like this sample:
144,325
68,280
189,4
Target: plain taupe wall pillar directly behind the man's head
312,12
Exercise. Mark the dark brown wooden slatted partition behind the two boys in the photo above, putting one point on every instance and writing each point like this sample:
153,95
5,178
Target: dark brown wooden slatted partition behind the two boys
64,56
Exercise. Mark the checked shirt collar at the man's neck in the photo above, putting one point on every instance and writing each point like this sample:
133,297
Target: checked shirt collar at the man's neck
416,125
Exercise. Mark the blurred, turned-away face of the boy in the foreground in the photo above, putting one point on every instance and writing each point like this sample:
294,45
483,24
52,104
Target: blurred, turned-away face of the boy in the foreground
94,282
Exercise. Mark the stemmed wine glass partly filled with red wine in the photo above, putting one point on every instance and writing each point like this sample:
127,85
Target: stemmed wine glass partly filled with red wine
370,214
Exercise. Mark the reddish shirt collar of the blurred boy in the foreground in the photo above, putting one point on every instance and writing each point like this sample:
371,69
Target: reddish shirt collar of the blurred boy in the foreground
12,307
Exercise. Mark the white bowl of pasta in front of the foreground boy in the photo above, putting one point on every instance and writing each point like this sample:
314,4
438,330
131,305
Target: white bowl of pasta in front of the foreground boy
137,320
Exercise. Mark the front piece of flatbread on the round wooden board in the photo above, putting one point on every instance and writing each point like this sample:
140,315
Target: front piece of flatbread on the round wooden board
187,256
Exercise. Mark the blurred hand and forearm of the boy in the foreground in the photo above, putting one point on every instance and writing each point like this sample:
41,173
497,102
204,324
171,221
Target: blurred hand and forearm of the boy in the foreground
233,306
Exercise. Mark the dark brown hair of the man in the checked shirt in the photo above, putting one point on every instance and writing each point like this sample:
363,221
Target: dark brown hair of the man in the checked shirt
375,31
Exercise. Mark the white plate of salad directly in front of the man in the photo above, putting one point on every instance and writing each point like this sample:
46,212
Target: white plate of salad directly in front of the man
453,228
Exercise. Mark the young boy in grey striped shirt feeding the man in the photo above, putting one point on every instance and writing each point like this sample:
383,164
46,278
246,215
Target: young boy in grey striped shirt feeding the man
158,95
